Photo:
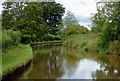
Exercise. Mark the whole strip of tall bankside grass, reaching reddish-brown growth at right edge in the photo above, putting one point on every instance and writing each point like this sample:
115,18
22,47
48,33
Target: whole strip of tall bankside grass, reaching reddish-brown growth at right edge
92,43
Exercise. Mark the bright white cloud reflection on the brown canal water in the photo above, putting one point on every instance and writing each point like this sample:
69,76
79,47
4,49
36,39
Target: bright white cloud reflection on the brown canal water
83,70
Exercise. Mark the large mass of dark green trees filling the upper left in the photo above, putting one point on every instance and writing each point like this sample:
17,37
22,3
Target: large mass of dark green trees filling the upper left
32,19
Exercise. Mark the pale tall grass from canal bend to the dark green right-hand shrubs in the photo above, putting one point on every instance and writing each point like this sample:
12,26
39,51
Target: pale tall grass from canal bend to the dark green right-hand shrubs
83,42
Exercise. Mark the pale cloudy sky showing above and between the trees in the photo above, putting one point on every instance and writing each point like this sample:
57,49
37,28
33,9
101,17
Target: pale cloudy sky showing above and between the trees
82,9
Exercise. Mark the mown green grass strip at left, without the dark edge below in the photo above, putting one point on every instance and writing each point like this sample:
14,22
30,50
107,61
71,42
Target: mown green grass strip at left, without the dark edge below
16,57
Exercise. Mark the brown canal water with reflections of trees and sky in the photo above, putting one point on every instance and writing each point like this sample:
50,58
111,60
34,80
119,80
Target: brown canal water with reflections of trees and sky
58,62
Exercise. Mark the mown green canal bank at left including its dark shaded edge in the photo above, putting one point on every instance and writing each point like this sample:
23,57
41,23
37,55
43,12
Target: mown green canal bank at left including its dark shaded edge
16,60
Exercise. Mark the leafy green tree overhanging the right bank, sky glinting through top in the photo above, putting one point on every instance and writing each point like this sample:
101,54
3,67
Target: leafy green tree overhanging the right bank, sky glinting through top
106,22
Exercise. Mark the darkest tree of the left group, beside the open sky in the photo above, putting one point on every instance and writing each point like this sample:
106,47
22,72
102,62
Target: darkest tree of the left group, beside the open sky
52,15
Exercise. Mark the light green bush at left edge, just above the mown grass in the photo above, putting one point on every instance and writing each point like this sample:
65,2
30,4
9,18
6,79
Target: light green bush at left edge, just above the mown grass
10,38
